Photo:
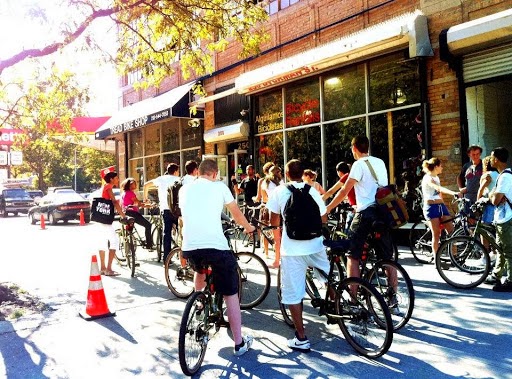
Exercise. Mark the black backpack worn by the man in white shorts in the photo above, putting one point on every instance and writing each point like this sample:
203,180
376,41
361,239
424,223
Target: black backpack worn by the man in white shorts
302,217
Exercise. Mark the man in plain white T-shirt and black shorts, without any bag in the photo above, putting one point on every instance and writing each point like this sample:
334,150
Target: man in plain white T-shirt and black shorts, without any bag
201,203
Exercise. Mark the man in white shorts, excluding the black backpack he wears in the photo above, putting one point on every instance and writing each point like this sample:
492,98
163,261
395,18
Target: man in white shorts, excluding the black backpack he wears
296,255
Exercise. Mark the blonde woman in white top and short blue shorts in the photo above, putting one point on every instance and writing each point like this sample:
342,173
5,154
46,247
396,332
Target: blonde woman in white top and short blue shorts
434,209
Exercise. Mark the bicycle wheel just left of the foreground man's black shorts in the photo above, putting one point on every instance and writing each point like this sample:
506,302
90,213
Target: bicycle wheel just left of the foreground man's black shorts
179,277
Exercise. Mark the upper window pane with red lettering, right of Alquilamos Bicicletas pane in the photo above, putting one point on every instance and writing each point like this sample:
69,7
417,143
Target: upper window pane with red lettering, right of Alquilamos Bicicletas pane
302,105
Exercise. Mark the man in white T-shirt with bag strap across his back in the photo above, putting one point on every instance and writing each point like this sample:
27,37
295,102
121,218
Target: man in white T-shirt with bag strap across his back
365,185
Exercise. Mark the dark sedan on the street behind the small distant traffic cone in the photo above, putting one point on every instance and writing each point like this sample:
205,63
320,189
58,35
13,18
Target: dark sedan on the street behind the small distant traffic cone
59,206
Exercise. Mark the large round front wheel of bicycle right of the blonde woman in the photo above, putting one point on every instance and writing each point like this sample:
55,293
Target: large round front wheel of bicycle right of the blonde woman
463,262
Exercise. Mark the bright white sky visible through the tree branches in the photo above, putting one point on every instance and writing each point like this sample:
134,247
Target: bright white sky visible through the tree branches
23,27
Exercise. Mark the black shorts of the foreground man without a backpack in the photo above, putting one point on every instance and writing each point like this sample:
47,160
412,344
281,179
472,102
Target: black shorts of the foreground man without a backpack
224,268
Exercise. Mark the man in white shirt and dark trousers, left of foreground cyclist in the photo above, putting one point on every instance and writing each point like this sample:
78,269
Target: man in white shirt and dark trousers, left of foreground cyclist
162,183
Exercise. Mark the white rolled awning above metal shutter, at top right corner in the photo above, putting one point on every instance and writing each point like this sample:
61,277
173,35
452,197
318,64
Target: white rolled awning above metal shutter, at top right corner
480,34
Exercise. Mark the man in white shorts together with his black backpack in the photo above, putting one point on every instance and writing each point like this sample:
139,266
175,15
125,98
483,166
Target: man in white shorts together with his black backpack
303,212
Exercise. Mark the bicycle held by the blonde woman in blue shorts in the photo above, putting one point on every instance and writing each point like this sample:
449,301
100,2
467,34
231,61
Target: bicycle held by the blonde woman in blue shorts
420,235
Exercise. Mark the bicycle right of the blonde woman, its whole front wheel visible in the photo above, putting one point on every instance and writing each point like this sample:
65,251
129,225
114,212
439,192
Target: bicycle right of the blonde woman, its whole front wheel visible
463,261
